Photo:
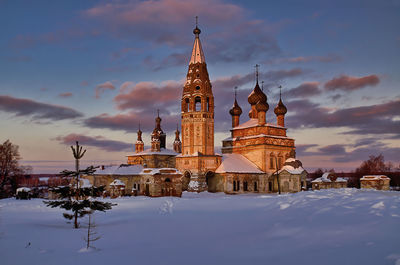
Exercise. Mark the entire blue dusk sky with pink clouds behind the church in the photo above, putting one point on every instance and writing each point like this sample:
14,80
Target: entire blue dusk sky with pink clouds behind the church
92,70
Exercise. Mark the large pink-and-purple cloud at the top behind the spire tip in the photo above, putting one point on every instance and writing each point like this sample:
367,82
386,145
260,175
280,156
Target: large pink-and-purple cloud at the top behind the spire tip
232,36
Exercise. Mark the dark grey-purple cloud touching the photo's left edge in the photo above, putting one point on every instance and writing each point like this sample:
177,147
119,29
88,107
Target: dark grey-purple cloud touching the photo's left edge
37,110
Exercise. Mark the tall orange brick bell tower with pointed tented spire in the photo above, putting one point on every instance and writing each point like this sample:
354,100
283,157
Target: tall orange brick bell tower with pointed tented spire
197,109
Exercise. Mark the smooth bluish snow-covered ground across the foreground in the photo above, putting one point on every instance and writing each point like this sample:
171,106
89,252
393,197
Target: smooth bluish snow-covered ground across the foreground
345,226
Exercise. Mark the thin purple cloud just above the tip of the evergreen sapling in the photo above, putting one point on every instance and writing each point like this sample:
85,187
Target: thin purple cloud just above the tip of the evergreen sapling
96,141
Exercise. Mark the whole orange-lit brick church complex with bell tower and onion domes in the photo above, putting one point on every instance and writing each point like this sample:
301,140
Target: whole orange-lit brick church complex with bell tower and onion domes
257,157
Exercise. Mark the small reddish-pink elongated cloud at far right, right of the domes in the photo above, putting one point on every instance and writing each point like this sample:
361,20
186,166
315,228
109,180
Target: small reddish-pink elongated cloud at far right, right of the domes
350,83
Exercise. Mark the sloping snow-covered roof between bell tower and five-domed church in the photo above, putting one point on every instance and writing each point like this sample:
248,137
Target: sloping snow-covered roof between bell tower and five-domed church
236,163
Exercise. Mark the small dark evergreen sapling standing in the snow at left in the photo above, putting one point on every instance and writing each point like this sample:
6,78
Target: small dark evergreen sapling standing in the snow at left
76,199
